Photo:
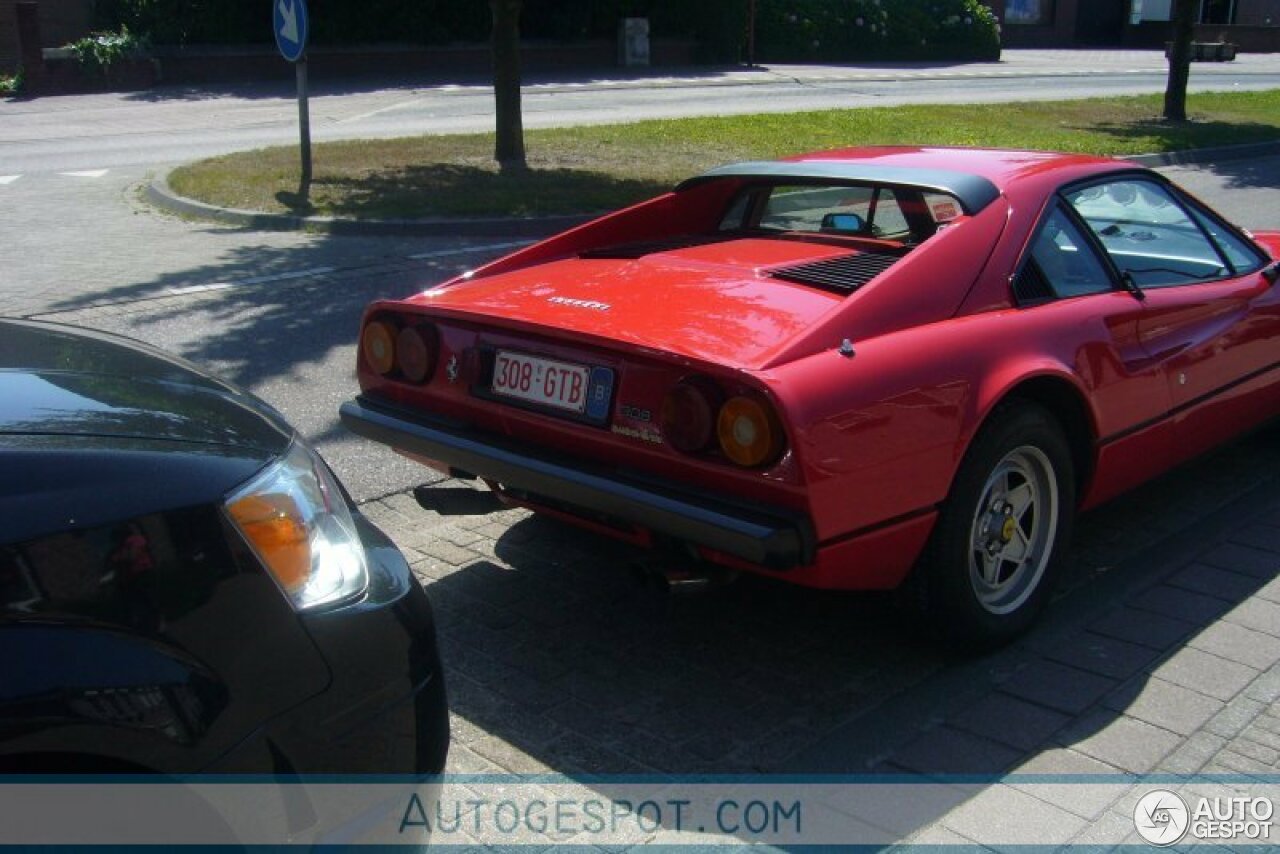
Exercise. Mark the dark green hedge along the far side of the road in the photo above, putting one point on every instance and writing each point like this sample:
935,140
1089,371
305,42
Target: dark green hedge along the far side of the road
787,30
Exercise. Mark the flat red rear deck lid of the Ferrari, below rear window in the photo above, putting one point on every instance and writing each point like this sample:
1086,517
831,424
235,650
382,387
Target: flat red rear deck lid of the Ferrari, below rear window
729,303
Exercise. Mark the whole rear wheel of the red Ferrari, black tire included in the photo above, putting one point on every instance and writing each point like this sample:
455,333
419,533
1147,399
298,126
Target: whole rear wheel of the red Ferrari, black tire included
1002,535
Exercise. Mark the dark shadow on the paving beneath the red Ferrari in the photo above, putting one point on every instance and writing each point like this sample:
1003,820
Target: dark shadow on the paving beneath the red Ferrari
561,661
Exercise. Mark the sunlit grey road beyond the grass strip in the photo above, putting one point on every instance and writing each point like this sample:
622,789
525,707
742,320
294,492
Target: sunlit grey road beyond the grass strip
175,125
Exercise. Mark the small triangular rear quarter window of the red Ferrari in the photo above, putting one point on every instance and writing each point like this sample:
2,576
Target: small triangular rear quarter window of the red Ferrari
1060,263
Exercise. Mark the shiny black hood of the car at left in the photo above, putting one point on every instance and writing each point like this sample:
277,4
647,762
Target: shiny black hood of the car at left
97,430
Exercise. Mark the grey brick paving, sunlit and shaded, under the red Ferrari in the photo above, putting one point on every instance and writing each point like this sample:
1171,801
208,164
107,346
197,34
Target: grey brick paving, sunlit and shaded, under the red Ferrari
1160,659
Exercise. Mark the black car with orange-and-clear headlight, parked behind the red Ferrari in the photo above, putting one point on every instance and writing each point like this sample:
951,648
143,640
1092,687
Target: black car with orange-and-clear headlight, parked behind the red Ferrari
185,587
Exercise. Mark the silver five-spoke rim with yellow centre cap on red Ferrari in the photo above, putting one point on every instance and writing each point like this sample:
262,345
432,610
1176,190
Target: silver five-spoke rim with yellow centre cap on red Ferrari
1013,532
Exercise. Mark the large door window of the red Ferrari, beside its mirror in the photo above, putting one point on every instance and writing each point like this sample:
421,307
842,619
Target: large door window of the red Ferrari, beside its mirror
1148,234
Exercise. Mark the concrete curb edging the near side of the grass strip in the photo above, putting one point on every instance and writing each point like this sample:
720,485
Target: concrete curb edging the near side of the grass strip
159,194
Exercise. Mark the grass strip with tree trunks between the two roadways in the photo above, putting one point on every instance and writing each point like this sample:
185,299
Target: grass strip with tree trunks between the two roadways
601,168
